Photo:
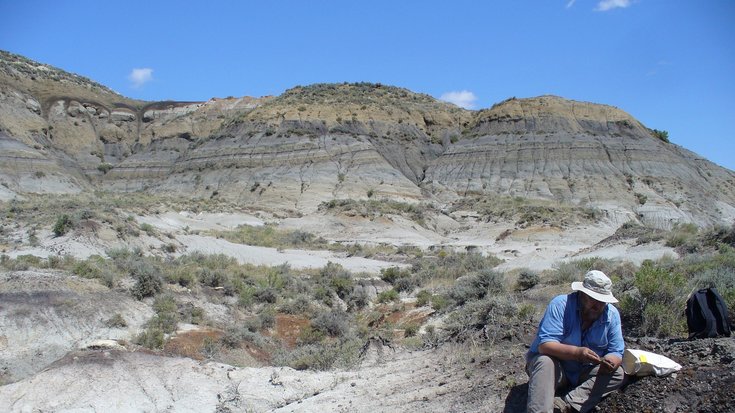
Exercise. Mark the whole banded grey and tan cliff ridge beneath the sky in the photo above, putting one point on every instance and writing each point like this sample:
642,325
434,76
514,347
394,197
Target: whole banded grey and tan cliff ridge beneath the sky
63,133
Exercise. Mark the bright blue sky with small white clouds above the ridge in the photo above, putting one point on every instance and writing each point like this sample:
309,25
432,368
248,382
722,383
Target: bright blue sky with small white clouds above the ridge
669,63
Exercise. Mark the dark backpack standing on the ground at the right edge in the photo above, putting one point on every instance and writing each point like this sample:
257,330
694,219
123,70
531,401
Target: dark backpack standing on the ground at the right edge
707,315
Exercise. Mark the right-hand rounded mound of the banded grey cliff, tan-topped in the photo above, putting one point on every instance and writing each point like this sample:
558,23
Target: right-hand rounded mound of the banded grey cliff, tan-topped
585,154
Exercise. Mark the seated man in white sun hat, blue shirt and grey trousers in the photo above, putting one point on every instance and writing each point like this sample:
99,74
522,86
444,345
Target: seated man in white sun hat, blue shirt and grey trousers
578,347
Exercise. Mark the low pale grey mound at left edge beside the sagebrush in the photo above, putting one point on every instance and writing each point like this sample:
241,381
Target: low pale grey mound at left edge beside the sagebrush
47,314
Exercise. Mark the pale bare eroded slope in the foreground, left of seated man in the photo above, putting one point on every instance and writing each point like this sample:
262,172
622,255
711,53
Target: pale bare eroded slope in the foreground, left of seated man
118,381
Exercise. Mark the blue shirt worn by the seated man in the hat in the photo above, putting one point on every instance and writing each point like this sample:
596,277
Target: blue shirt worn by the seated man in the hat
562,323
